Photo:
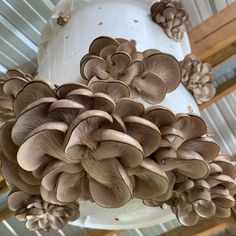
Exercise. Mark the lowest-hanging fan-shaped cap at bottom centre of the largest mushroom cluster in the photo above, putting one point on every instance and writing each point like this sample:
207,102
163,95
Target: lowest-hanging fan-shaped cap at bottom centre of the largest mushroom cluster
104,175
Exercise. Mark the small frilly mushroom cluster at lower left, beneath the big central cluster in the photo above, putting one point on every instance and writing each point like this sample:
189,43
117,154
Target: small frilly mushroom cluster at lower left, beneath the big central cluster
39,214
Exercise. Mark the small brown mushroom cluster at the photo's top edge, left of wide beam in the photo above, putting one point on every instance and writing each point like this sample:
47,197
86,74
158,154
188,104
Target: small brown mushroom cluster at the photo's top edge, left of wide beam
171,16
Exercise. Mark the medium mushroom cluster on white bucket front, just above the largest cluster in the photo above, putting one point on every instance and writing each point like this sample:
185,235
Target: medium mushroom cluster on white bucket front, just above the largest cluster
149,74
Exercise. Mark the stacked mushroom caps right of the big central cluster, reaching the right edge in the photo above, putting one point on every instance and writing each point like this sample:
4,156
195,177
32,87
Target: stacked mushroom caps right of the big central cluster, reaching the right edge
201,182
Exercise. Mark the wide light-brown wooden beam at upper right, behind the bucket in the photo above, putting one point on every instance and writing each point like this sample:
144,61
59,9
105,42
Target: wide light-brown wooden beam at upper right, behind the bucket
214,40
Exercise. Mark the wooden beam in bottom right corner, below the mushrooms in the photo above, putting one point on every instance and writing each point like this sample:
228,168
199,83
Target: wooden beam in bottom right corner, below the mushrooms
211,227
